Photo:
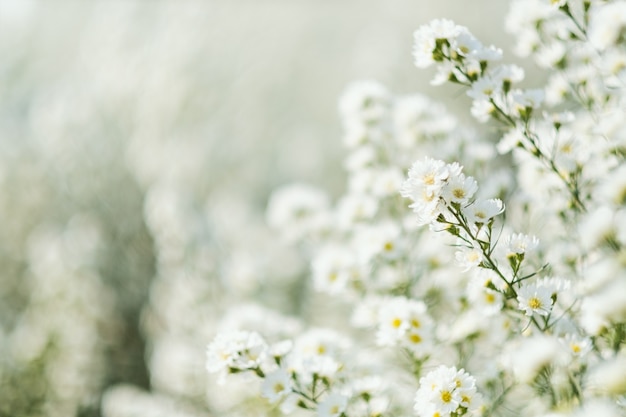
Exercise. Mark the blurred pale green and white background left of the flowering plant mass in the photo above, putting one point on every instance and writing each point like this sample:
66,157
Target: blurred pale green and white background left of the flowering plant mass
139,142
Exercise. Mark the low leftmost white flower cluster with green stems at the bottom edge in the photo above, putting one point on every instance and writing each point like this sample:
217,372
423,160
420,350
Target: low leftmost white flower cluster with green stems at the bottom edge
307,372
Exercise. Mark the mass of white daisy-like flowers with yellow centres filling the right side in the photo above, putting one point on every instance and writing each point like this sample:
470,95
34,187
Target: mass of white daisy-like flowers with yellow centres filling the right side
513,300
